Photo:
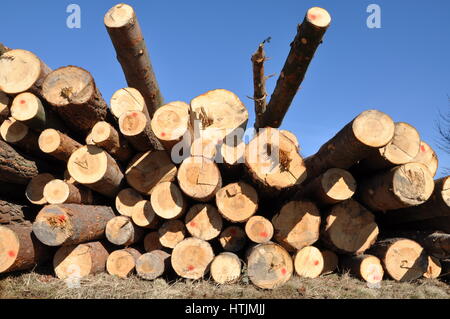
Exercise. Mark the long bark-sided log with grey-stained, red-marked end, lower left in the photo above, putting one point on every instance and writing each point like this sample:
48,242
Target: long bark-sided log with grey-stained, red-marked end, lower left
68,224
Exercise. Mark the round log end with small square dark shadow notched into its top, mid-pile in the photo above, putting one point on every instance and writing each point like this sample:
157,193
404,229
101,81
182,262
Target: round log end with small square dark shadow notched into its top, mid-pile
237,202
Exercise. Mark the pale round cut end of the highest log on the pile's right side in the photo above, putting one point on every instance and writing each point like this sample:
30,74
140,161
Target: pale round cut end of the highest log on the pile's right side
373,128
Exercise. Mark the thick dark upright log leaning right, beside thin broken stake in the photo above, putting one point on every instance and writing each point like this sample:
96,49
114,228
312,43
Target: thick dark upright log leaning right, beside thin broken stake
309,36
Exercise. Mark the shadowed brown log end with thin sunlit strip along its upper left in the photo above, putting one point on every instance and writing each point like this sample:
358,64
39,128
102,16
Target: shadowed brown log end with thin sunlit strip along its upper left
148,169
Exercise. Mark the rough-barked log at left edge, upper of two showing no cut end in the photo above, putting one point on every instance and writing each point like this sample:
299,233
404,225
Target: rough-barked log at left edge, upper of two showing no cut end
14,168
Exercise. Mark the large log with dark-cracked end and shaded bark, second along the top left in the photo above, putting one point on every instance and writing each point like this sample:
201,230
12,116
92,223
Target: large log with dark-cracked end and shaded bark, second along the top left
72,92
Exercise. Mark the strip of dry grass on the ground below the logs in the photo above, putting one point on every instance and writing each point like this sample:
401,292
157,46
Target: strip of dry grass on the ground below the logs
39,285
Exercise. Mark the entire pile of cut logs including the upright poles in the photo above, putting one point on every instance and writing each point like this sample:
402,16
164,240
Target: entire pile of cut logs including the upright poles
153,189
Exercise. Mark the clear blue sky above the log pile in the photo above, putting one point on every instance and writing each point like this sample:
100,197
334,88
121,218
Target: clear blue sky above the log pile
402,69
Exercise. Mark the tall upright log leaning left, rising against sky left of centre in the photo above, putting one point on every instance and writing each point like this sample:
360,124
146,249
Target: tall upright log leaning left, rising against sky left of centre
126,36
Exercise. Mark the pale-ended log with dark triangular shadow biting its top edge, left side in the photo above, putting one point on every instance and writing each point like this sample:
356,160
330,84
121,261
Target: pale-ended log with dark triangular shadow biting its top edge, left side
95,168
